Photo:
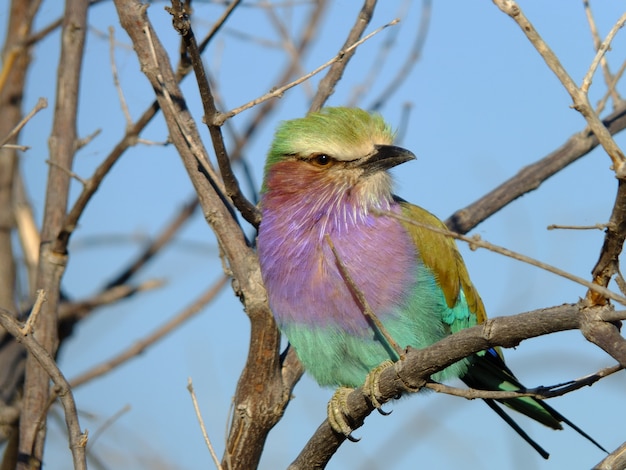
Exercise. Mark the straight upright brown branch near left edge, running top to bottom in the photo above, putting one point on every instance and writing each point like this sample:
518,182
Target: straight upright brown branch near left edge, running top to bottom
53,256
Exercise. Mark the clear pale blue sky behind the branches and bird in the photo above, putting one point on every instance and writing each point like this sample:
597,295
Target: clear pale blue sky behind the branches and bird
484,105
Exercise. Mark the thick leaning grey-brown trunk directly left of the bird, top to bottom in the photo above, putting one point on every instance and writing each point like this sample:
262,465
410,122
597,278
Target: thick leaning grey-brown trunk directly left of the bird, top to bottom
259,400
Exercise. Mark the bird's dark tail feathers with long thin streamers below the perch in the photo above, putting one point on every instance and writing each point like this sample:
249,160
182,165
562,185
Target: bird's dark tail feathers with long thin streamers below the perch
487,371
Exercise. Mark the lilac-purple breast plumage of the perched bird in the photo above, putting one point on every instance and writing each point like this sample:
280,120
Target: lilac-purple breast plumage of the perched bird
301,274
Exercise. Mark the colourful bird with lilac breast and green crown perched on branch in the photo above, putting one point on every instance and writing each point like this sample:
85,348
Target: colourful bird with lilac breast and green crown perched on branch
327,206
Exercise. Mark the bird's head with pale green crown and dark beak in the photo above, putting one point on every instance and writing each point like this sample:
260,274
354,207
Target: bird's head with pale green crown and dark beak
336,150
